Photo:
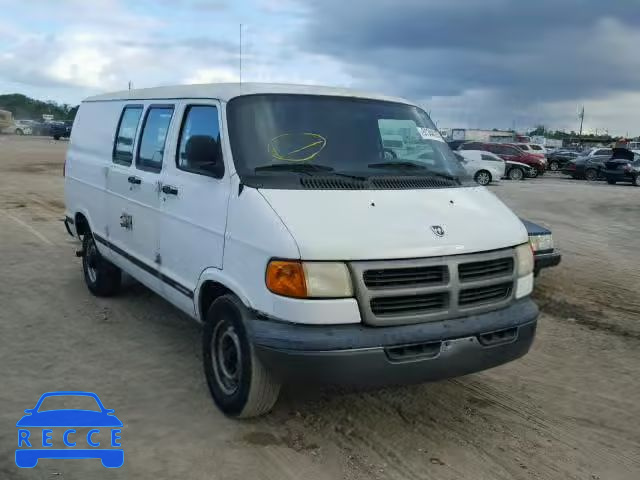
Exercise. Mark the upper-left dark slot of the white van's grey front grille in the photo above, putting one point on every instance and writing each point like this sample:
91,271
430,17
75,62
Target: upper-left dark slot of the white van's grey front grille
405,277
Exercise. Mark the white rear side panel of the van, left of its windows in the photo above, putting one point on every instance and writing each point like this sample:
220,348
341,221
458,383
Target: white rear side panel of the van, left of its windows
88,160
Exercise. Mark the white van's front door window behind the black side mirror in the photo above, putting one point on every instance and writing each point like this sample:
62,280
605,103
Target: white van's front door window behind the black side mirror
200,149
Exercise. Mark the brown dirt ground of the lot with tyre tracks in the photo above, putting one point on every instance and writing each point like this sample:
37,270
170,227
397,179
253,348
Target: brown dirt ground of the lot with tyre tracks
570,409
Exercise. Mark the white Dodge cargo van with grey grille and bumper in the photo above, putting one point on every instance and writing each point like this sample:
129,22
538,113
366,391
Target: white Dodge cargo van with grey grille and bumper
309,248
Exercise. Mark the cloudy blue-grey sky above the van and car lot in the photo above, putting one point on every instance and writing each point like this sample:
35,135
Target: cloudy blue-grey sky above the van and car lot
470,63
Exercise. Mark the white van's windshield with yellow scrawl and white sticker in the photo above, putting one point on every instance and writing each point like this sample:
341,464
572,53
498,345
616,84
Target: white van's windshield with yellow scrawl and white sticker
277,138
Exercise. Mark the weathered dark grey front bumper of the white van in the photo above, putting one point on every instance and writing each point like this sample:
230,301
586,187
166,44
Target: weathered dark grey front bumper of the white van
376,356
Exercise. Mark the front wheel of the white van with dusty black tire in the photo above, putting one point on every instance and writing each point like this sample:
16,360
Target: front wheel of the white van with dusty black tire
239,383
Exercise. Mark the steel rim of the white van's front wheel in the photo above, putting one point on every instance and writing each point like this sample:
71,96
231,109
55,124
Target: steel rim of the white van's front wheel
226,357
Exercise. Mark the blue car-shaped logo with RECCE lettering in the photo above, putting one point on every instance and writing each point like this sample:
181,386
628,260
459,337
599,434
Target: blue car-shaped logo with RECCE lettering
40,428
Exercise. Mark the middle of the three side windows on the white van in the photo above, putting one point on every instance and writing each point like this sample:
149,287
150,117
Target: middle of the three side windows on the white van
154,134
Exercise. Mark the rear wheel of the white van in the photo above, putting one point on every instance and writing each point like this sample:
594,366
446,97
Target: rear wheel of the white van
101,276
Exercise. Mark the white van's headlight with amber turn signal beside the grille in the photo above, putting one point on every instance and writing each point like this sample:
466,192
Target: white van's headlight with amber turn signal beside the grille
292,278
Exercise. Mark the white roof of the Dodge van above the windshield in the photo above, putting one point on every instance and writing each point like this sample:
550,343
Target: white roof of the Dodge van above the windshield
227,91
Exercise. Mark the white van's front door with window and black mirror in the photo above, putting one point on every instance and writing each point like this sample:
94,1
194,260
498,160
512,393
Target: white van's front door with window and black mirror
194,194
